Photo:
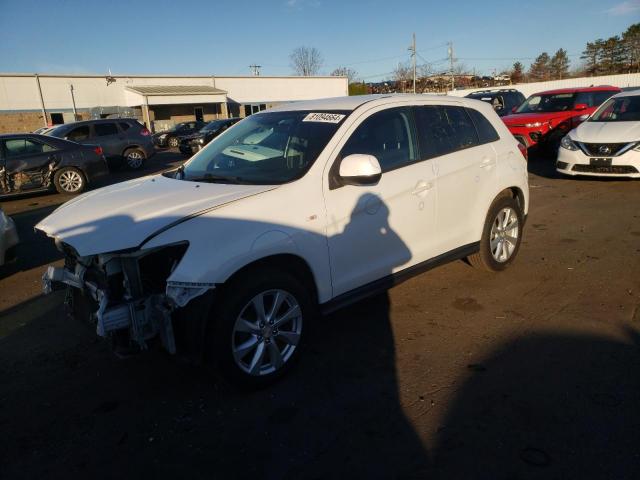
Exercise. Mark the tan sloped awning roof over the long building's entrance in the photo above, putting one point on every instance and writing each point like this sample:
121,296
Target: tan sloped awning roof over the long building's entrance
173,94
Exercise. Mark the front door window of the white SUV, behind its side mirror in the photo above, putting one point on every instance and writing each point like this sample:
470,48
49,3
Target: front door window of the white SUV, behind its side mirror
387,135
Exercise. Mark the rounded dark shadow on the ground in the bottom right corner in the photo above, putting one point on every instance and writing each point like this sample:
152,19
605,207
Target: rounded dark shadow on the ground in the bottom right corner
547,405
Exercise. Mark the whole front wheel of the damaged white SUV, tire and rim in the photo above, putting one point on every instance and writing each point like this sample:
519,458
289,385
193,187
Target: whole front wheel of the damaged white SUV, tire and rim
258,327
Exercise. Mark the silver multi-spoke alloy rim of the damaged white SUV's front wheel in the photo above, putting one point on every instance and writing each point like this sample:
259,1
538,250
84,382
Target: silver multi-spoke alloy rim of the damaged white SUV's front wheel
267,332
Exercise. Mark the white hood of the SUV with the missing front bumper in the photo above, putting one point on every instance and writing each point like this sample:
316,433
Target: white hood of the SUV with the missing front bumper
124,215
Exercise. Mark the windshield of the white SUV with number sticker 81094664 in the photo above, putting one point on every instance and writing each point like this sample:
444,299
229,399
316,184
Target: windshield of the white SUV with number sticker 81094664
265,148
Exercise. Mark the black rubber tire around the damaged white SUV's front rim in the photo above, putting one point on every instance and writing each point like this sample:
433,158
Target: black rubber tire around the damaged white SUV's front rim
236,299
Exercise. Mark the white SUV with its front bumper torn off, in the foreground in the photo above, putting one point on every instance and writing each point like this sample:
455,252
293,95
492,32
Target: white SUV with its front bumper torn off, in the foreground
302,208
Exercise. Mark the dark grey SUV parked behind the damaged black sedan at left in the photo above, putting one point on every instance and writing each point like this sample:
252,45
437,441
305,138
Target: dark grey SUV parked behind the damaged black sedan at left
123,140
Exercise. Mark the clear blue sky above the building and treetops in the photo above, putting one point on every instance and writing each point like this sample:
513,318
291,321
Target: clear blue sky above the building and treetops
224,38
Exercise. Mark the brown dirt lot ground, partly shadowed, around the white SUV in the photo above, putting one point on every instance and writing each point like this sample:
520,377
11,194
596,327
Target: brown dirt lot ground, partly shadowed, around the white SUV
533,373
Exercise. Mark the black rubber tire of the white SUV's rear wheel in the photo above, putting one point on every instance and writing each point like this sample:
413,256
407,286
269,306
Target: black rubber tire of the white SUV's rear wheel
485,258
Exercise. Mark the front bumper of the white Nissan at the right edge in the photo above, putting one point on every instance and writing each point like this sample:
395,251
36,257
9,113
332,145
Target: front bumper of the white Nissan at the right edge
576,162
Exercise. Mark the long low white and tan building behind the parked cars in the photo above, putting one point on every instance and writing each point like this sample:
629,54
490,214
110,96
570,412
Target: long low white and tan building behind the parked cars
29,101
